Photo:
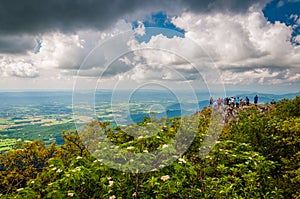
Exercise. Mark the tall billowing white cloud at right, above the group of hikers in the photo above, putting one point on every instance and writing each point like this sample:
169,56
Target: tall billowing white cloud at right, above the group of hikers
244,41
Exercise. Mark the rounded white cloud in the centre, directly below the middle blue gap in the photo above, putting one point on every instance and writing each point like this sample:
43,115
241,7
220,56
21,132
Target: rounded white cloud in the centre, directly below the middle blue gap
162,59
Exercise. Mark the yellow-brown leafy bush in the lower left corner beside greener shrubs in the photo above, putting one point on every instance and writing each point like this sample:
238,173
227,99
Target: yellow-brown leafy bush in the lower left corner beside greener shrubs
26,160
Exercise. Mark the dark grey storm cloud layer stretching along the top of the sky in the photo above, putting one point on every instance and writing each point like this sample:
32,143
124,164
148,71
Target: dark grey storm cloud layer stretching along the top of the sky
38,16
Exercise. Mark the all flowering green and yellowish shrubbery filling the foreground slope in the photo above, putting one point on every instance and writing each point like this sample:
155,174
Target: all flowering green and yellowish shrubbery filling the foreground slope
257,156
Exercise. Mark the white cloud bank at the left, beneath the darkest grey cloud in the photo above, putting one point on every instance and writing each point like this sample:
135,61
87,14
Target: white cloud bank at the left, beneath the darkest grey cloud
60,51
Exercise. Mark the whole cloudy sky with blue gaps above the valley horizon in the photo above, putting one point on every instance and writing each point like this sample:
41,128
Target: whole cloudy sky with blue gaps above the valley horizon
178,44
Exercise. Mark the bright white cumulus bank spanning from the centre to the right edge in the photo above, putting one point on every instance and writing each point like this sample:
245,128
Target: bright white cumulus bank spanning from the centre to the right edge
245,47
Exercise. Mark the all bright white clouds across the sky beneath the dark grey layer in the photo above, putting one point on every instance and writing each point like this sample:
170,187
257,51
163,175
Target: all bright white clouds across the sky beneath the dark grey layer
245,46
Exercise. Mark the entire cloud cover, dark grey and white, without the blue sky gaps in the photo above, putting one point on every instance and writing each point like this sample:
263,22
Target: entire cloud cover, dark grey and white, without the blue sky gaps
232,34
